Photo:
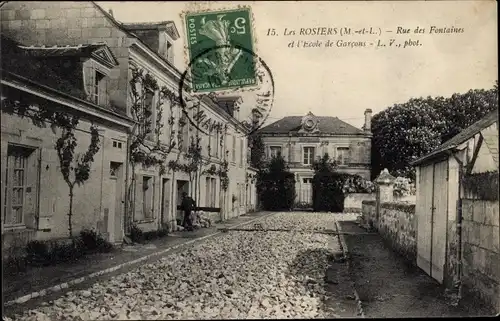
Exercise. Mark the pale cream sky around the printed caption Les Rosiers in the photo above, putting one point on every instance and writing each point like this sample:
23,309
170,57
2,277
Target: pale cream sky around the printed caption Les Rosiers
344,81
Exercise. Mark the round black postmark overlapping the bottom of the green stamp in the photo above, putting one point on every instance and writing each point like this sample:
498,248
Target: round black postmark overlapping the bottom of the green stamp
217,74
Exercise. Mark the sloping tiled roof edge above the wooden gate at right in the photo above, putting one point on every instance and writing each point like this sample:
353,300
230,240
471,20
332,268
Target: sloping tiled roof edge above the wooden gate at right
461,137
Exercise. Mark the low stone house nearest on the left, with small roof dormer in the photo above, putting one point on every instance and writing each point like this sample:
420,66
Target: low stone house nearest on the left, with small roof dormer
34,194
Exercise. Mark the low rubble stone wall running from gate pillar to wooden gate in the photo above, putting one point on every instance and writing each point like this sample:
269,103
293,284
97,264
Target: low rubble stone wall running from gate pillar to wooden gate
396,223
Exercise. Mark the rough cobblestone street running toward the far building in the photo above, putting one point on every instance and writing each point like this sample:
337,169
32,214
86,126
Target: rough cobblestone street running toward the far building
276,271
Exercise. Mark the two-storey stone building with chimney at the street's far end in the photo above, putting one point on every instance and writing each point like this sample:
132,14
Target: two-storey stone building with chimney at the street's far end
301,140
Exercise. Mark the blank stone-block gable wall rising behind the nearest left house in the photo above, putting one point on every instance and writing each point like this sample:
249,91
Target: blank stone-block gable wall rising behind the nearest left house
71,23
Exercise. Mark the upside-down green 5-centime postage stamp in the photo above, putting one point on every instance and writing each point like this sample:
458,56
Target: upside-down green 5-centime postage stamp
221,50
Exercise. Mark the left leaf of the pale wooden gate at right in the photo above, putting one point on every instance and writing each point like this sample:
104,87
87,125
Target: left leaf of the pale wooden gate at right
423,212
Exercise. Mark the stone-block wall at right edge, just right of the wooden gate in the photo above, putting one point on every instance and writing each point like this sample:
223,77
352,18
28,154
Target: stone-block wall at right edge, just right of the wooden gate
481,253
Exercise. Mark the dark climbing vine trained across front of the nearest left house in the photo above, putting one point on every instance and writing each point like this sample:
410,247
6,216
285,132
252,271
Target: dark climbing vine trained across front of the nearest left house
75,168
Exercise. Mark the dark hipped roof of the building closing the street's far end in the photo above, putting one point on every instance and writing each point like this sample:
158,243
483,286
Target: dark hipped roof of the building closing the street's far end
326,124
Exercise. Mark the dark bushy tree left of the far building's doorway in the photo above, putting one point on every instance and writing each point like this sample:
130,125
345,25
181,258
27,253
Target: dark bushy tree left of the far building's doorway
276,185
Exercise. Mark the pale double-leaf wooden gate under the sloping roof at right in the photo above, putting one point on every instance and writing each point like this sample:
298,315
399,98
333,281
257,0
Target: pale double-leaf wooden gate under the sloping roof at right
432,213
